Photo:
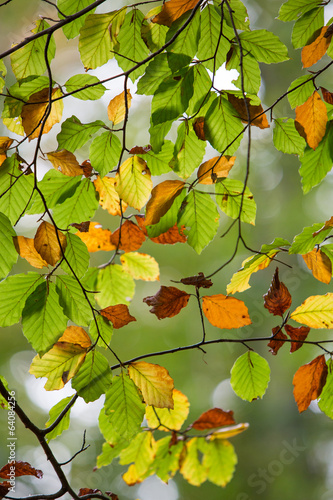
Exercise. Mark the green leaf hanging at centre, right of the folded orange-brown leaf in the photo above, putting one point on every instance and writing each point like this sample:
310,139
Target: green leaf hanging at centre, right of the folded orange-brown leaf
201,216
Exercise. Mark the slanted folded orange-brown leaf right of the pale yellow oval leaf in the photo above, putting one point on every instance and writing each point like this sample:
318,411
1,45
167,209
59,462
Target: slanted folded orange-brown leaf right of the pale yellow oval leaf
162,197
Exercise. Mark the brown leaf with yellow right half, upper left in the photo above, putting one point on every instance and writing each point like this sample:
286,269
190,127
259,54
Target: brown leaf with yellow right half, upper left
33,112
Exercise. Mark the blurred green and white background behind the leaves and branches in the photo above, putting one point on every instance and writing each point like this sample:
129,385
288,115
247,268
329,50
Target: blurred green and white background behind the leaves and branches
282,454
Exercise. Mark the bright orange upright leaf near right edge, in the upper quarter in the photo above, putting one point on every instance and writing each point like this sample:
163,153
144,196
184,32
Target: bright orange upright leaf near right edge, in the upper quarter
311,119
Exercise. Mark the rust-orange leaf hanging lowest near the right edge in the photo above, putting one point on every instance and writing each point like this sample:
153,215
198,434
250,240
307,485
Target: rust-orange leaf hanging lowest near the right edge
309,381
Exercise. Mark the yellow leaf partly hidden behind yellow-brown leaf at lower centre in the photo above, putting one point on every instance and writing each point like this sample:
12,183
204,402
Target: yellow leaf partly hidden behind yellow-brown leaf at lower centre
166,419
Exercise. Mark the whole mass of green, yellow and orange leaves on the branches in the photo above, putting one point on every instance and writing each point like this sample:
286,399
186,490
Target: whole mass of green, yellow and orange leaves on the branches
69,311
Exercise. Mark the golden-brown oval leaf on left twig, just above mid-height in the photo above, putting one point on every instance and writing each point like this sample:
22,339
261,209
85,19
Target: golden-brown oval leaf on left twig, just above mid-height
47,244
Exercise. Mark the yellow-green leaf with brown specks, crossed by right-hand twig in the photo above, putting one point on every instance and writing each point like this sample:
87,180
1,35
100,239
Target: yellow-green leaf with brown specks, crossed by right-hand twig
229,199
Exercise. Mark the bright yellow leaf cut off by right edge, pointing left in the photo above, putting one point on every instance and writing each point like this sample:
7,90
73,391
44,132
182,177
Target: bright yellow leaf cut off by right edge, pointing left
316,311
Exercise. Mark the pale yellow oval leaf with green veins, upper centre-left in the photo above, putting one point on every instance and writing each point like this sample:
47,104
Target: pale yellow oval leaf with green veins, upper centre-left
133,182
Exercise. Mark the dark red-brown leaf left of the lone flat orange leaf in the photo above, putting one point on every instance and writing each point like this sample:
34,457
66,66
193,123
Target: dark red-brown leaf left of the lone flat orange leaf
167,302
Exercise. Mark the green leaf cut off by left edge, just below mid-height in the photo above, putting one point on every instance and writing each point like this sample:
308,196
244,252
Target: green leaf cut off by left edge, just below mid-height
14,292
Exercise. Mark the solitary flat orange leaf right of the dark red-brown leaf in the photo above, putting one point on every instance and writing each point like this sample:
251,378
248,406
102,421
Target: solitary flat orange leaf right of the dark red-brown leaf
223,311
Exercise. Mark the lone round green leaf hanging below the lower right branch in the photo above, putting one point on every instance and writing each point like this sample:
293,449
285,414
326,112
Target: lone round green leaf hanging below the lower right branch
250,376
